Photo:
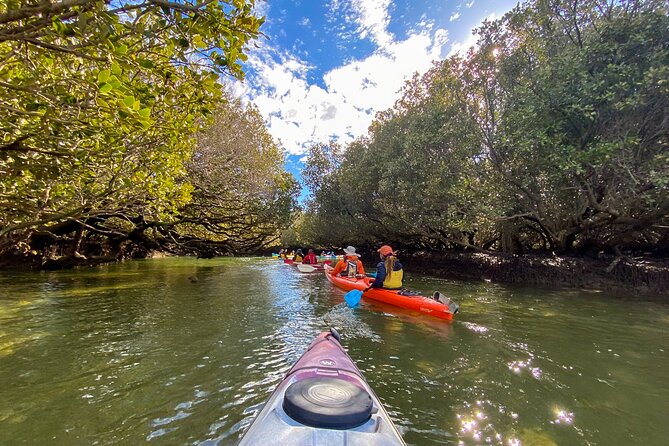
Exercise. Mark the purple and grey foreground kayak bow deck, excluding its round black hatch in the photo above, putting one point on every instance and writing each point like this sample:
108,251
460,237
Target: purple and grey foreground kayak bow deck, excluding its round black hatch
326,360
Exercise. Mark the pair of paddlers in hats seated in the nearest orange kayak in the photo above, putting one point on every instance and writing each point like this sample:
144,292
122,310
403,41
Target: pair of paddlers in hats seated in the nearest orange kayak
389,272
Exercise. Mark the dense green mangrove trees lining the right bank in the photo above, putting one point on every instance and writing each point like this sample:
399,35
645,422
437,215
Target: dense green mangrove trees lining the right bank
552,134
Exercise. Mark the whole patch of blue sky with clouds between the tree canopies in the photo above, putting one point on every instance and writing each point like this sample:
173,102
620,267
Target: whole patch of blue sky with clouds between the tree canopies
326,67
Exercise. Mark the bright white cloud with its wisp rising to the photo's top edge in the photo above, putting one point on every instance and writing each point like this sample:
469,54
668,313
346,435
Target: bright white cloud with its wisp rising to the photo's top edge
342,105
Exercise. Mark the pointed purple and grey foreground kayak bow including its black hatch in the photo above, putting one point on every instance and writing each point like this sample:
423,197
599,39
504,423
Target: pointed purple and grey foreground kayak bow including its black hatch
323,400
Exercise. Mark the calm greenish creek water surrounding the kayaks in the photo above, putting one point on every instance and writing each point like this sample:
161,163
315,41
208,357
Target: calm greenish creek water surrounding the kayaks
141,353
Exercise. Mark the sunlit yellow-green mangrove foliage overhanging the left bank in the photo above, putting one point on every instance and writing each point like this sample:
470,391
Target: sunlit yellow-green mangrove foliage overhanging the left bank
102,102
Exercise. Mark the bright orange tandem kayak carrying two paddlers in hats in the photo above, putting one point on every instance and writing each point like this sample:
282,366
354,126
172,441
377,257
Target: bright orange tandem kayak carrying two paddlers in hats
419,303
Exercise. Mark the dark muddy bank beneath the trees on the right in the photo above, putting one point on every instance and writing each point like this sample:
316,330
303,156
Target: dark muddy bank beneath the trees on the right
647,276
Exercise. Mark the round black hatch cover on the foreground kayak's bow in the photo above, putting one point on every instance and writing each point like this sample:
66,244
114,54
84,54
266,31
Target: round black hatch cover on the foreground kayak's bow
330,403
